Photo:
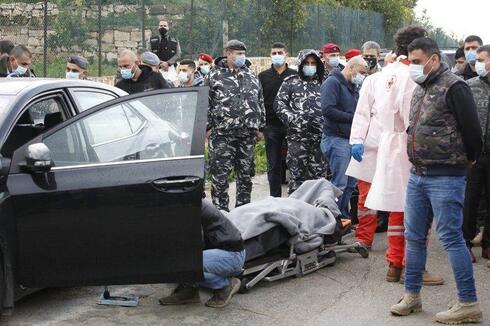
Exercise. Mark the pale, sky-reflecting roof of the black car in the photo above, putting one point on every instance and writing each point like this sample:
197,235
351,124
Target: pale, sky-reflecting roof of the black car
14,86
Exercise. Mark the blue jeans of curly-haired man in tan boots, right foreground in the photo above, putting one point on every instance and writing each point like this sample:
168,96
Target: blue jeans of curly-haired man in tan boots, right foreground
440,198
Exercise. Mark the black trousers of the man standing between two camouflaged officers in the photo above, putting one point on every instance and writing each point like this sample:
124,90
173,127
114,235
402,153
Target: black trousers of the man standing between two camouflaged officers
274,138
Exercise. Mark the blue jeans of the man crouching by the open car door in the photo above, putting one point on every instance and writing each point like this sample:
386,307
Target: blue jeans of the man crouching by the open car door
219,265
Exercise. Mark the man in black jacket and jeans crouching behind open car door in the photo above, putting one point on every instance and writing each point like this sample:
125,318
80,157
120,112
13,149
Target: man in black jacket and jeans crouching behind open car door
223,258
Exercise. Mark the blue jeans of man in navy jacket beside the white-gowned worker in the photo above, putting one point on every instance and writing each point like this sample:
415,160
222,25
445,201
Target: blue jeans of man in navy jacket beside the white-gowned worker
337,152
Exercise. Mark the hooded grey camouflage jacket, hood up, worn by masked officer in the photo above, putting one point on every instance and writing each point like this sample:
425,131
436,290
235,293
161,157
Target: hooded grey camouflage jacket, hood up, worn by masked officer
297,103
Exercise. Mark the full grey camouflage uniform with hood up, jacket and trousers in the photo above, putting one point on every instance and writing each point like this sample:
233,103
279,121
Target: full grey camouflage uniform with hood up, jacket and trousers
298,107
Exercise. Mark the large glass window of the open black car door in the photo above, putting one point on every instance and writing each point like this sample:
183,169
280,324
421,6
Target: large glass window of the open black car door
152,127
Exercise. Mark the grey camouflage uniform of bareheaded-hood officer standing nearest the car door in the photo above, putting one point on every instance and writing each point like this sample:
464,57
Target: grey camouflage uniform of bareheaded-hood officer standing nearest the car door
236,113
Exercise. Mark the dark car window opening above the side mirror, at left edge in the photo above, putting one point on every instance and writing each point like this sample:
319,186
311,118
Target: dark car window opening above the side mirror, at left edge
37,118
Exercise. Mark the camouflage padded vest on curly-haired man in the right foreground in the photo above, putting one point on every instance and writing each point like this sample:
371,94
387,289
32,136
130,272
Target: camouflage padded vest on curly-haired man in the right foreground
434,138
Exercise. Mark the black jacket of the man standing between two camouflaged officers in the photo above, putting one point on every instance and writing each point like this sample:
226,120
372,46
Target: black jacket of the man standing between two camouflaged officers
271,81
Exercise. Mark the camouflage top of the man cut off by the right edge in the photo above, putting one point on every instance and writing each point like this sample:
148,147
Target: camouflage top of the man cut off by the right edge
481,92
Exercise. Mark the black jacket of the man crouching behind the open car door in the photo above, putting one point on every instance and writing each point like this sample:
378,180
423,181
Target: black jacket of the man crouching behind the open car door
219,232
